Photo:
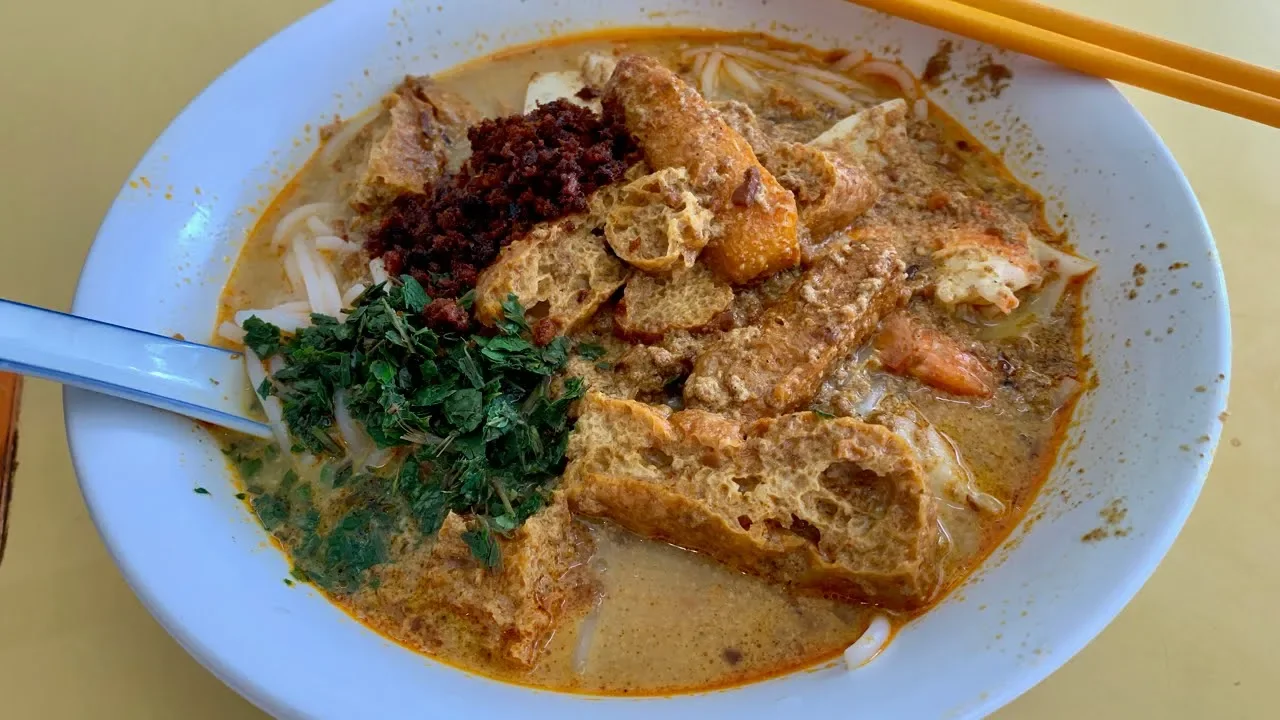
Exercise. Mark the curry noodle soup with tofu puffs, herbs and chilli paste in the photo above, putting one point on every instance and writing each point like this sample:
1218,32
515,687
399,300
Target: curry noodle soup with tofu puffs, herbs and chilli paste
651,363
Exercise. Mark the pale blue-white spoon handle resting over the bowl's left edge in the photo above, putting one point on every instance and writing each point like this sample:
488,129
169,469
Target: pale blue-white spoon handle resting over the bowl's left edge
193,380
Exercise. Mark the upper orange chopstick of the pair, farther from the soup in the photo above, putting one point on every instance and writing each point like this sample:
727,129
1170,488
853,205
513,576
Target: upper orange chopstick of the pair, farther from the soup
1137,44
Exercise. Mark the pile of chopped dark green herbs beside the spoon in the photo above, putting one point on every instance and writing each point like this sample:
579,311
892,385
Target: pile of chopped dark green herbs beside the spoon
481,430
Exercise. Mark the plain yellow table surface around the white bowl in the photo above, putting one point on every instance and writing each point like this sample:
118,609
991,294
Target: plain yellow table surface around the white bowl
86,88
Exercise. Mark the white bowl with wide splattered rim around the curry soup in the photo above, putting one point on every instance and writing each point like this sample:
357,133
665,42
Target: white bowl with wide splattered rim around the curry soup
1144,439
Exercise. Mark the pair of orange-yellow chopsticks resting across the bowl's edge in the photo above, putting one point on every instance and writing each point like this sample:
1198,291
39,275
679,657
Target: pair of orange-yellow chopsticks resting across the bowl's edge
1105,51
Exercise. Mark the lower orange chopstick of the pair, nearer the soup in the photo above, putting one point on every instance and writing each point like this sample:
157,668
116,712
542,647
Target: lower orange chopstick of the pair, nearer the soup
1086,57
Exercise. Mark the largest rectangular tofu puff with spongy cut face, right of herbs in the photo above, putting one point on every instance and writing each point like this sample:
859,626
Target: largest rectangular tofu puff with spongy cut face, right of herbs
834,507
